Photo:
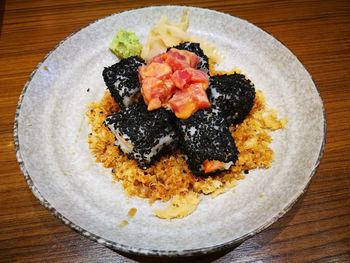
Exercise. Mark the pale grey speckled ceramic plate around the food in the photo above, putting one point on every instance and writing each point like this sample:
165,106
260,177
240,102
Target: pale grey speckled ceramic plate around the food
51,131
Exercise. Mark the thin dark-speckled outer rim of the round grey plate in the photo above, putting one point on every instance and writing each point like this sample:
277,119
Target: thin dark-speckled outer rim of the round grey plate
155,252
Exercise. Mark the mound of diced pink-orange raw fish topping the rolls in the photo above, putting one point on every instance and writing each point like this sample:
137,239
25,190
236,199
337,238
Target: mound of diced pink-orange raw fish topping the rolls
170,79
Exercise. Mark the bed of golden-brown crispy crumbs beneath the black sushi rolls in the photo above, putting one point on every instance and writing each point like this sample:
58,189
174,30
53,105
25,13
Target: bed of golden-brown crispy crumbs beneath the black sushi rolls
170,177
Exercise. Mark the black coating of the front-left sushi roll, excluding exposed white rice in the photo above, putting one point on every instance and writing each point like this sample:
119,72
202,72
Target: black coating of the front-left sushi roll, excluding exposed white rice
144,129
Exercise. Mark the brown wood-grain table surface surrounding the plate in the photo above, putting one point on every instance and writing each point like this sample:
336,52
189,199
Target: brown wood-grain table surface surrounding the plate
317,228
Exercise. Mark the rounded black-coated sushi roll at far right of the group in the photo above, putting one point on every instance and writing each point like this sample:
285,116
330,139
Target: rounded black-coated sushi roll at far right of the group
233,94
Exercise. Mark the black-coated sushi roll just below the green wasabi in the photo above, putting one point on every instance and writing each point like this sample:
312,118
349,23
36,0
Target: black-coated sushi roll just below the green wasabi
122,80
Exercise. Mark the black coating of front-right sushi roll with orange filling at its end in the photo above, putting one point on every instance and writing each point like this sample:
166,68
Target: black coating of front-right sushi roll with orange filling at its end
206,136
